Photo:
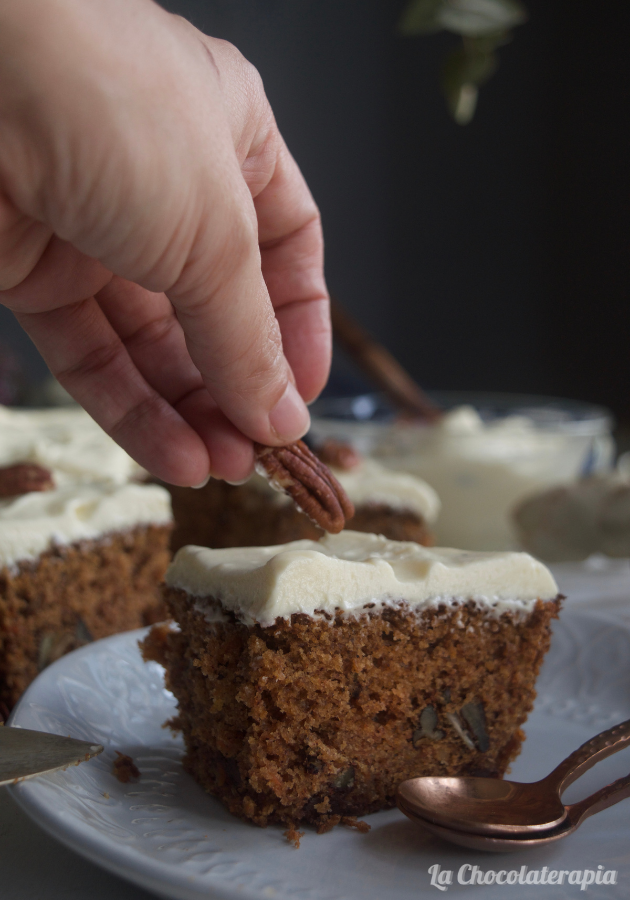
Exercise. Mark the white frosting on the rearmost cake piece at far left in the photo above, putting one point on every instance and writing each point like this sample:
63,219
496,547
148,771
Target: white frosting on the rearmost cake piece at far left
67,442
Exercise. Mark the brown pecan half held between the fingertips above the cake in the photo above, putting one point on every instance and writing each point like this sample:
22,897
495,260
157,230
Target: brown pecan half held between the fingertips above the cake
296,471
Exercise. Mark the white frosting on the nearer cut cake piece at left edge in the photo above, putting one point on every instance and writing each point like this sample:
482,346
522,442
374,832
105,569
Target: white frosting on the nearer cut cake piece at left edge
32,523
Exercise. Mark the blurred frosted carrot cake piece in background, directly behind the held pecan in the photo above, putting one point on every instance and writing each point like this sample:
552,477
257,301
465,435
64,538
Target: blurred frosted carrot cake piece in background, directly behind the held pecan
395,504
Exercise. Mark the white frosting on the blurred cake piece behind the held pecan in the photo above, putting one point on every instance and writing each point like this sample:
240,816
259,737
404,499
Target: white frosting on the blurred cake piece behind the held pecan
371,482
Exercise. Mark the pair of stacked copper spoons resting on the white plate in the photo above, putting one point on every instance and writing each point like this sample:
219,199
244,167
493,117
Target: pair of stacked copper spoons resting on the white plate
513,811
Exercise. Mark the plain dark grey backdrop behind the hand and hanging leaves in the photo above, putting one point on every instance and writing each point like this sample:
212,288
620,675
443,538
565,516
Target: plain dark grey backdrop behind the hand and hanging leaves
491,256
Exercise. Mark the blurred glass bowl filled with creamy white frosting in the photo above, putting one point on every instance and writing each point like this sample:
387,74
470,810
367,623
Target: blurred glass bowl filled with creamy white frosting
488,453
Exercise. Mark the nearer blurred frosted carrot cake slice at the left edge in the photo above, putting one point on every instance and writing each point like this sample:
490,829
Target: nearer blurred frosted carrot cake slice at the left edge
76,564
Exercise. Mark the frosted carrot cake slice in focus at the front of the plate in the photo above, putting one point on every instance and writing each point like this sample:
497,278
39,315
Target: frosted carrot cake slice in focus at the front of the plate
313,678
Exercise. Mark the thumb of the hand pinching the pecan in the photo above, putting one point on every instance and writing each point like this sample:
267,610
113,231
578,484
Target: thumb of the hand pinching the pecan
231,330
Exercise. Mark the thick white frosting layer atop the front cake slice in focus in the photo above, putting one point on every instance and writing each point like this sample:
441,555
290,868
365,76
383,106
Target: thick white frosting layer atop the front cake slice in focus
349,570
